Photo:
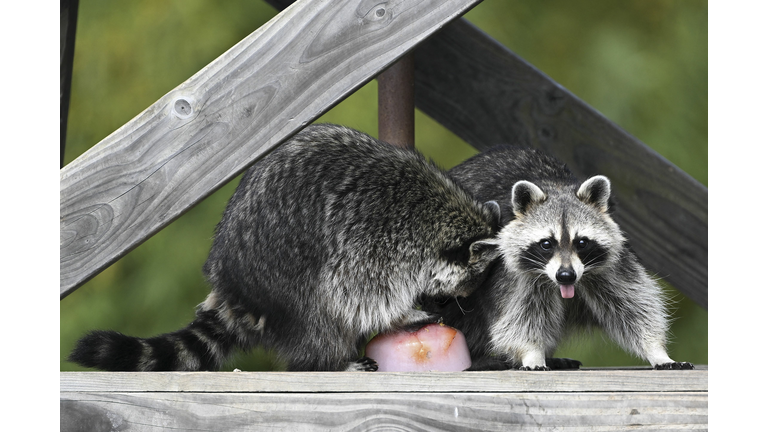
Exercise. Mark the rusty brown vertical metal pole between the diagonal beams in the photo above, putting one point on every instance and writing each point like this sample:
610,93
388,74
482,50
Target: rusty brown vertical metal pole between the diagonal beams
396,103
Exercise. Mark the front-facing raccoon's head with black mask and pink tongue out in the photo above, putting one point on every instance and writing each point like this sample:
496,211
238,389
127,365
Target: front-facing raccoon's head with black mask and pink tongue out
560,236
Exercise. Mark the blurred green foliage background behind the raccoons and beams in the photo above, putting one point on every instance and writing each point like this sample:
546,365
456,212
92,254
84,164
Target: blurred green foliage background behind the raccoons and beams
641,63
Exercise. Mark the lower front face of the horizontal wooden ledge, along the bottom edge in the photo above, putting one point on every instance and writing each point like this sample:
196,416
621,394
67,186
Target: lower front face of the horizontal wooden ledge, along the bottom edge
388,411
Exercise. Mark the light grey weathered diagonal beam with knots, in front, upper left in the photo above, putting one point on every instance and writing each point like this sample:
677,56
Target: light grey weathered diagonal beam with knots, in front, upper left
213,126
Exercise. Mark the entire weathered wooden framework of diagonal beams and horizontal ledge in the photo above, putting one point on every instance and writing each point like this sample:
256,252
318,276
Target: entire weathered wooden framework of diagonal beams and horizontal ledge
276,81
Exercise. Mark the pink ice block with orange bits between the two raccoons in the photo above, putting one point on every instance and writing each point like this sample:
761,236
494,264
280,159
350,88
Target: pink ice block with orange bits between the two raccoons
434,347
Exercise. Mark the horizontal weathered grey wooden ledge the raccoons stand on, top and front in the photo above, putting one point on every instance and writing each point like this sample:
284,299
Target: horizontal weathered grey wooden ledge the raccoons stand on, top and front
588,399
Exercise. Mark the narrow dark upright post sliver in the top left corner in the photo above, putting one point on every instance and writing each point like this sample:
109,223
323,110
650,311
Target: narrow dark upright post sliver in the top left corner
67,29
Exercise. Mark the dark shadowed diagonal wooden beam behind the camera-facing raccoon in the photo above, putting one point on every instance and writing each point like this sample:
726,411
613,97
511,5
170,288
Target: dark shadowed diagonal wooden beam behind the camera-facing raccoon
487,95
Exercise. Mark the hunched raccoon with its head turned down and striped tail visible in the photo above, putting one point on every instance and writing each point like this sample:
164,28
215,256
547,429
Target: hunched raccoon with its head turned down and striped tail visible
330,238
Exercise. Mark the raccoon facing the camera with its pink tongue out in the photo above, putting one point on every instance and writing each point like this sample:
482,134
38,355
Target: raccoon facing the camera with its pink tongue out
565,265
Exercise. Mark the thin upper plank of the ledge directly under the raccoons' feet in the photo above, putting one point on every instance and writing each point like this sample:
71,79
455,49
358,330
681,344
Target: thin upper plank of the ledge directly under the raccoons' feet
600,380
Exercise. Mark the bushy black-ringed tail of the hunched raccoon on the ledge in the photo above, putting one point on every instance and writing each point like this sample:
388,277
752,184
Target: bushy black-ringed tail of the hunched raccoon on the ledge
203,345
